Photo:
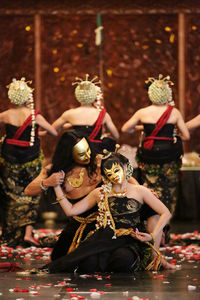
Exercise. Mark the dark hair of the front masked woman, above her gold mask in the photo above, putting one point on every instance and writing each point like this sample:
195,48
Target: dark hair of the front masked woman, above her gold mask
113,158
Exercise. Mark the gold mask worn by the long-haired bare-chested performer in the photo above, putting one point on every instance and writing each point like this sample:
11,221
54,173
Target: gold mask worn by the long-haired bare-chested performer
81,152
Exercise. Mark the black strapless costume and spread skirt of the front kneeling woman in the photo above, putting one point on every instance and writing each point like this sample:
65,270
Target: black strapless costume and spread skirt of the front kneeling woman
102,252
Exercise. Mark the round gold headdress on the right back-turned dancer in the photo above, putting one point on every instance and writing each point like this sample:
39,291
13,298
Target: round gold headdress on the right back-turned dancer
159,91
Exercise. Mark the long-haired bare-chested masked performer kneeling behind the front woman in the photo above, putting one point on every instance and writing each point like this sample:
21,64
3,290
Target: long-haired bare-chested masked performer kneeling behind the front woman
82,168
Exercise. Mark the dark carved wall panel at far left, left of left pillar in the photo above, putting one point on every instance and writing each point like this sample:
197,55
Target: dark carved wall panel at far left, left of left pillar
16,52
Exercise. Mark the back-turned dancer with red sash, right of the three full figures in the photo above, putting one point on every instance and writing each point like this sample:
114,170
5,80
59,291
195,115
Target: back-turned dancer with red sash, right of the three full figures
159,155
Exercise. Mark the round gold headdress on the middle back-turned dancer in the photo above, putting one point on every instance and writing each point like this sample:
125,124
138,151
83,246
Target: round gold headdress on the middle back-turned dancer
85,91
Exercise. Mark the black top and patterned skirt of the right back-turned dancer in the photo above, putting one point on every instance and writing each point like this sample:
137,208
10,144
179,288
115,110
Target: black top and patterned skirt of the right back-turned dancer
160,165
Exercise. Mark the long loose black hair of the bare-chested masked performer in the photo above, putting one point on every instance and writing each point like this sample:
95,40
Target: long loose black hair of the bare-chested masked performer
63,158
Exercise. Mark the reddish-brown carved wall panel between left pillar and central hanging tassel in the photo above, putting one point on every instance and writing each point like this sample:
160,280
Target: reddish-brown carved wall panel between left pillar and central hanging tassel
68,51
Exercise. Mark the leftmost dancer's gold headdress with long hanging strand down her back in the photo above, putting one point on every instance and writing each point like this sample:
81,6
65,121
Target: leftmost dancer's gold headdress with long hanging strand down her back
20,93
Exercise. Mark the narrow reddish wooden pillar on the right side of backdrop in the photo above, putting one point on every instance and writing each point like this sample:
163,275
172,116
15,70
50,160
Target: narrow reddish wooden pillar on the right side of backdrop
181,62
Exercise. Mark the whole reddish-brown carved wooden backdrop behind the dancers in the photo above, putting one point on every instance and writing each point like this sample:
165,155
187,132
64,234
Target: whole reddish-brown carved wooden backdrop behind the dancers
137,43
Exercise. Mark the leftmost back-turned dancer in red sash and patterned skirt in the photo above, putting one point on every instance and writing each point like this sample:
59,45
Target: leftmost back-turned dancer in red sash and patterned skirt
20,163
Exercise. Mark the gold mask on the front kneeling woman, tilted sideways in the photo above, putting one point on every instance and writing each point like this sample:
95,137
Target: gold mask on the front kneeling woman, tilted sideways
115,174
